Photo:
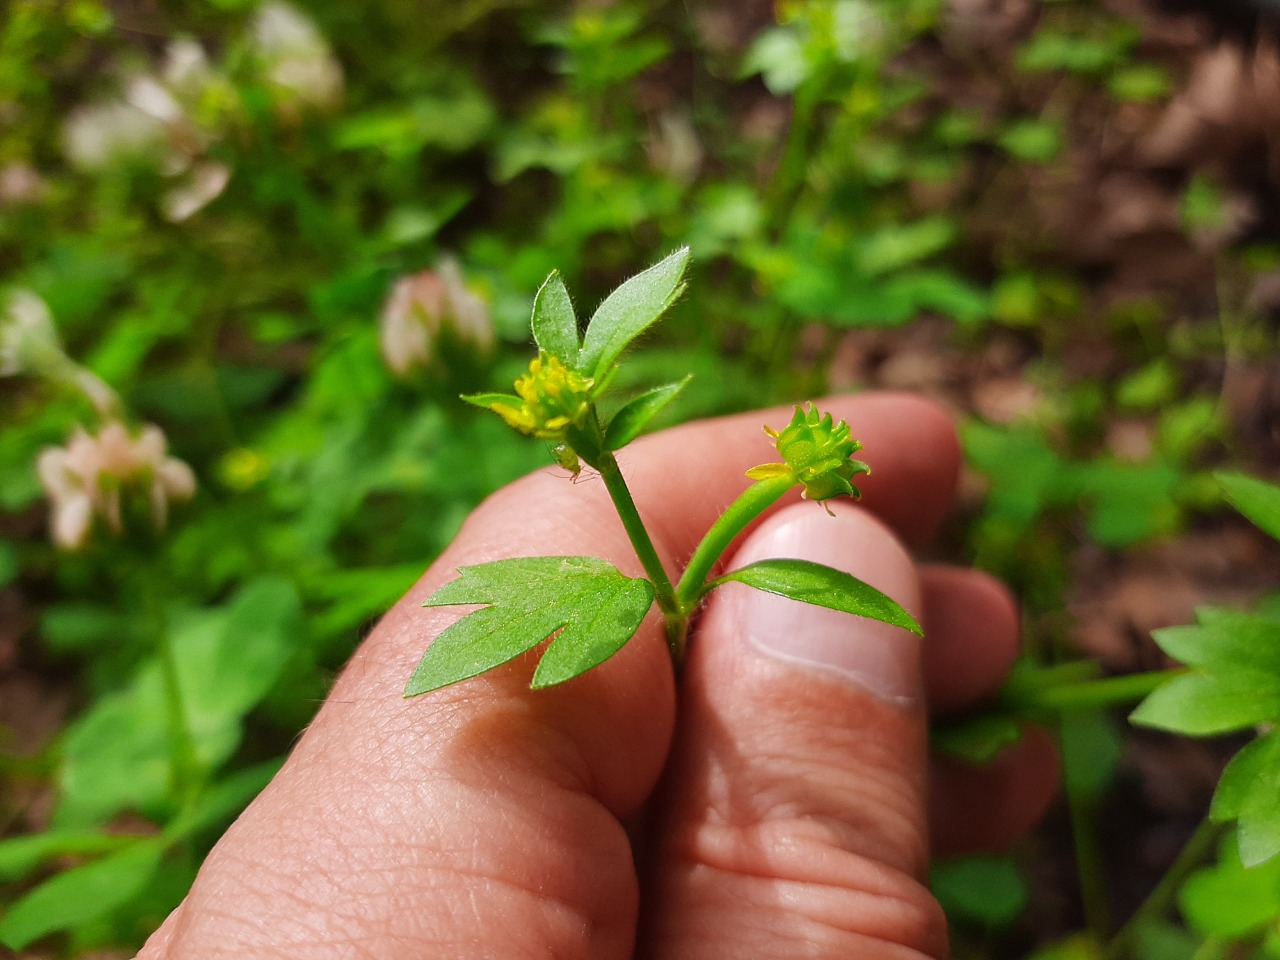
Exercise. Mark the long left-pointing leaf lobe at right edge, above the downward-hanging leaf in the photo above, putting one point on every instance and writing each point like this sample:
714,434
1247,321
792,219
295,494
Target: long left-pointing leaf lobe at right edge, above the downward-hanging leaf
1205,705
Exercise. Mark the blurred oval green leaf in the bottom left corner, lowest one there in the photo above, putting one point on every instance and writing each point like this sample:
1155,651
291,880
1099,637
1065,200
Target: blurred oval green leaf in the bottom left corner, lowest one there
81,894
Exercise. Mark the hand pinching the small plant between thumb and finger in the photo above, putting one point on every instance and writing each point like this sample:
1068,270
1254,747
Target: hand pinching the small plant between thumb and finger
761,808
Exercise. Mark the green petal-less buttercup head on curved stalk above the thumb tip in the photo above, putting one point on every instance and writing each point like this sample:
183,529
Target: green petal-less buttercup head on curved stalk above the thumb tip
816,452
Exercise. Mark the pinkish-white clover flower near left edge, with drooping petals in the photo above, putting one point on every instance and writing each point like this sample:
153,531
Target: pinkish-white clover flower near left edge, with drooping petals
90,477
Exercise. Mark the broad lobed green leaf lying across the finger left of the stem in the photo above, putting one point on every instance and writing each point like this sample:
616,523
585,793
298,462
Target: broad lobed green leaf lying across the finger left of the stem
531,598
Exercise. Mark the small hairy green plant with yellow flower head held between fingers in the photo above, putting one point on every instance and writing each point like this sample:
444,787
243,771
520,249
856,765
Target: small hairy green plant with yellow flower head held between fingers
588,606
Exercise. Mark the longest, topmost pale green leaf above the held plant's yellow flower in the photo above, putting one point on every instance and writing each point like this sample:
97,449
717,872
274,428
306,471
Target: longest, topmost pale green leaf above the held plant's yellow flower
629,312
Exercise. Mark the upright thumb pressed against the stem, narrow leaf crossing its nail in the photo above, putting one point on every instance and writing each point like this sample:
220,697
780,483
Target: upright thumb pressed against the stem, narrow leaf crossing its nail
797,796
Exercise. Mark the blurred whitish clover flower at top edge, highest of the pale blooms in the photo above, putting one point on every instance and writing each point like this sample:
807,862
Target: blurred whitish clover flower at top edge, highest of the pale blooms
296,57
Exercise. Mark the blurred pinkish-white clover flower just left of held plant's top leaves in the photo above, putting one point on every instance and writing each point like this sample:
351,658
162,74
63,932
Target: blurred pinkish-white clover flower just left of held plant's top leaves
426,307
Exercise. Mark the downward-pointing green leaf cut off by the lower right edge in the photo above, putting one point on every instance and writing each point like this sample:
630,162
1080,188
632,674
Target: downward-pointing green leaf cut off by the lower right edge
1247,792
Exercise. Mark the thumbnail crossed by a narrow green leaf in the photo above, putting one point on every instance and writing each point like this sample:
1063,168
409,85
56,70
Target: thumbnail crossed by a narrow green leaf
883,660
